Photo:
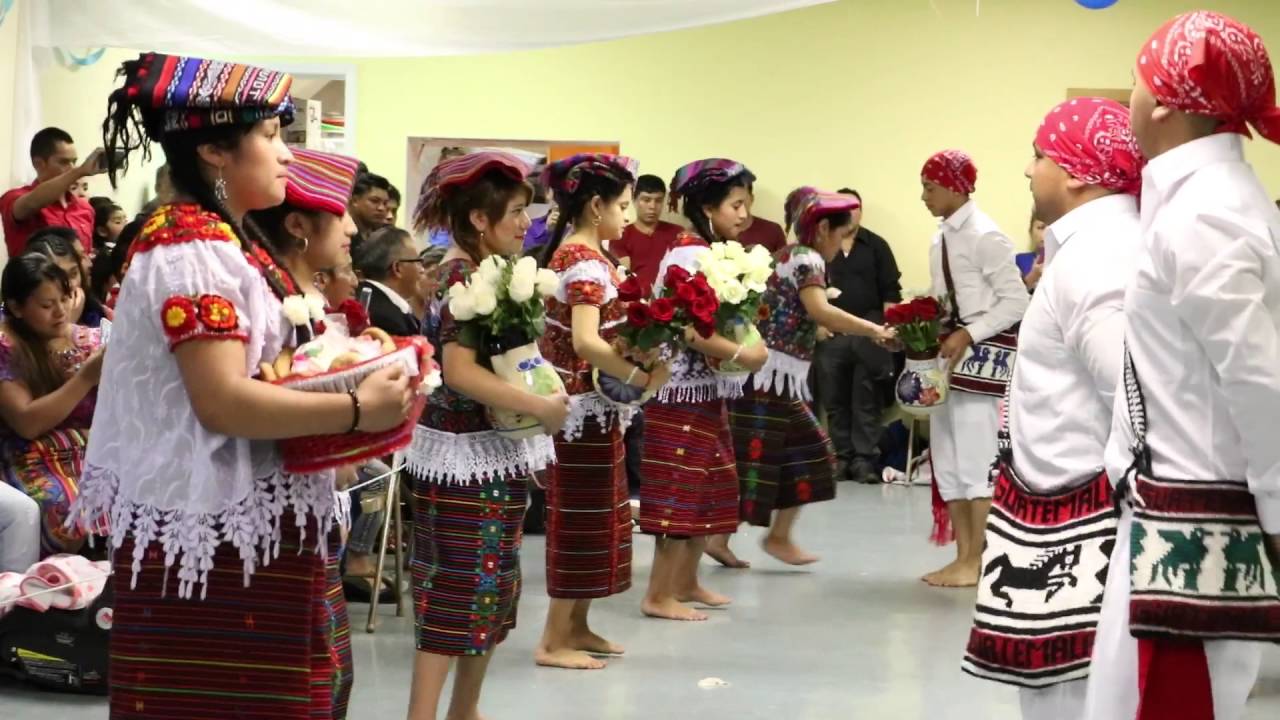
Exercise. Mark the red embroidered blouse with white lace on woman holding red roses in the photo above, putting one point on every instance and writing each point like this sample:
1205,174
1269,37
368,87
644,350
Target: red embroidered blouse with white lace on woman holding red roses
587,277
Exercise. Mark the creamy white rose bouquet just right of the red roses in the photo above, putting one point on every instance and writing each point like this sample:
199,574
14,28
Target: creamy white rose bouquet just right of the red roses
739,279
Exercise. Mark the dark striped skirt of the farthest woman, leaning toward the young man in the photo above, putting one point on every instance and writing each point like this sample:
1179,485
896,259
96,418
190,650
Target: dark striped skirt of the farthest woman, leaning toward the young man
784,457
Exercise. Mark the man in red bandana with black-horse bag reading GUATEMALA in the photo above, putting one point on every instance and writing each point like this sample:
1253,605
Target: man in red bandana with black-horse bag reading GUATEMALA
1085,180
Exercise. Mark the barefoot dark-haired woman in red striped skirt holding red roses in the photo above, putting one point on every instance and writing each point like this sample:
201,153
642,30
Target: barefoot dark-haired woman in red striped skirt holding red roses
588,503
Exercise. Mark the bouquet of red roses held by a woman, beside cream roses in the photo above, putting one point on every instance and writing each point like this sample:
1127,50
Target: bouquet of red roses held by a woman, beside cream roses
659,323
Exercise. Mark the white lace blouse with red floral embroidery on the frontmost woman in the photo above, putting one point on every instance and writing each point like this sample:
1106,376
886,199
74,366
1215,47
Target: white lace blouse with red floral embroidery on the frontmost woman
152,467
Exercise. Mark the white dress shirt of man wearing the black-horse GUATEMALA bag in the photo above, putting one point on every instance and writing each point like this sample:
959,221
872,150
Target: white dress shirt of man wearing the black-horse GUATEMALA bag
1071,349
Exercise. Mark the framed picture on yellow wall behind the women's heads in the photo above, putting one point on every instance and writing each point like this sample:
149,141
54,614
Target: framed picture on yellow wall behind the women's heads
426,153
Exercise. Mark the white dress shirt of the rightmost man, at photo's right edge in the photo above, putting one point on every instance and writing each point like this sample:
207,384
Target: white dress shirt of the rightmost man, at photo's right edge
1203,321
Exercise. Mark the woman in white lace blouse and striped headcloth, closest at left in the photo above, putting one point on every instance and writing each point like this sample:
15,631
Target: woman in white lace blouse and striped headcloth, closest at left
220,555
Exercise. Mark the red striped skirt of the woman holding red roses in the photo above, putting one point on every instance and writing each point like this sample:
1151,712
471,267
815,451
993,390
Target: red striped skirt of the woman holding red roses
588,516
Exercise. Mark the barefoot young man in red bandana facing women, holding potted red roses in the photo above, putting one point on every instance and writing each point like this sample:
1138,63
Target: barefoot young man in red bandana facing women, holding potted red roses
991,299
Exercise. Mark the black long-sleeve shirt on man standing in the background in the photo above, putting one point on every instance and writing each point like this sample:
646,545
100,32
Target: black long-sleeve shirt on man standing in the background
867,277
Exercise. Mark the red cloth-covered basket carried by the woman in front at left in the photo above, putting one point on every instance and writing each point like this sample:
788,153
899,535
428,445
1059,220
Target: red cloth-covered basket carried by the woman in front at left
313,454
